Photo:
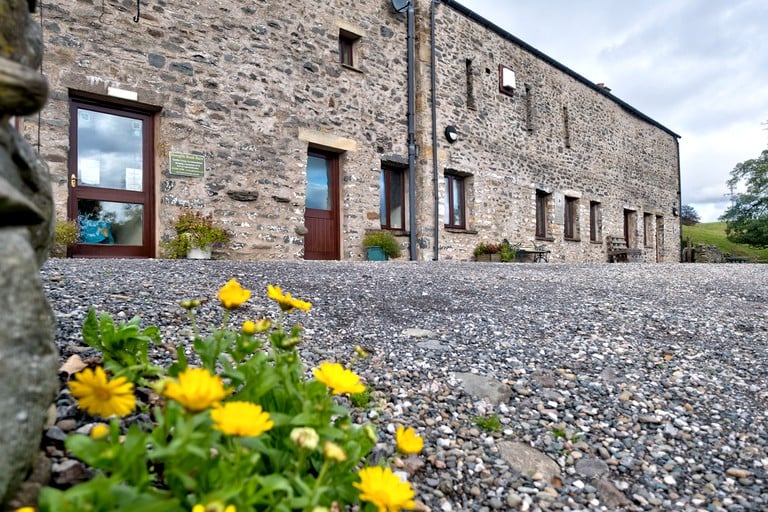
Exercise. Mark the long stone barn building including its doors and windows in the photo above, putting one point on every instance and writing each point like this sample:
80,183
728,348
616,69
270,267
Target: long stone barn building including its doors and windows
300,126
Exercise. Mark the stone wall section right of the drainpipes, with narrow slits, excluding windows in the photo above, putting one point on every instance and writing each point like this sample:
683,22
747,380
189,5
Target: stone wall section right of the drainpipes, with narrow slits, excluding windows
555,134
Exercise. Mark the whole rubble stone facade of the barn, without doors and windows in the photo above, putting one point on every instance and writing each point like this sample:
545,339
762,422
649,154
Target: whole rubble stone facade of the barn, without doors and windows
252,86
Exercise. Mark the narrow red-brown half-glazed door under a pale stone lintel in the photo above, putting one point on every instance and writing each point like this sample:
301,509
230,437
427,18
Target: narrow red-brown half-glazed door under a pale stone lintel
321,214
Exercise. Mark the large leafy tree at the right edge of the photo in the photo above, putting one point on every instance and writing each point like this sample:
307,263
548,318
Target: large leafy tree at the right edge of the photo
747,218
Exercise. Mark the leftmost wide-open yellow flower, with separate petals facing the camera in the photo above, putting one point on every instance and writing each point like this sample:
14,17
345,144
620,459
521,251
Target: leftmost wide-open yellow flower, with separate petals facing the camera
99,396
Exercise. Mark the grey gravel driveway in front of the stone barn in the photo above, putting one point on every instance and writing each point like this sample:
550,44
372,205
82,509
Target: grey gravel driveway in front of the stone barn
617,387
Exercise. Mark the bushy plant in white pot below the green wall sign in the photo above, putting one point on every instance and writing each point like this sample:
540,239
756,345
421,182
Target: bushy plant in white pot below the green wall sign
196,236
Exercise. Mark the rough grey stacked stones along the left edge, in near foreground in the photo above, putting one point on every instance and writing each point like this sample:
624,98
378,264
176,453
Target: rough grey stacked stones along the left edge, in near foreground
28,358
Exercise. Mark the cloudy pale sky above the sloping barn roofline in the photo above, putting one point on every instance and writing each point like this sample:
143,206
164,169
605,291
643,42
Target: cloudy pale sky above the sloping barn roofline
698,67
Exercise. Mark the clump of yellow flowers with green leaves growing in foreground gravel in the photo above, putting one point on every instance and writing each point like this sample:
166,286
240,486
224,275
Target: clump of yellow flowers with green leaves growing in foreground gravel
248,429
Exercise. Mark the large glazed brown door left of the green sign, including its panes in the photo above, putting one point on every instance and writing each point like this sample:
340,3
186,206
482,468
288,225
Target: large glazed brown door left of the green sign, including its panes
111,181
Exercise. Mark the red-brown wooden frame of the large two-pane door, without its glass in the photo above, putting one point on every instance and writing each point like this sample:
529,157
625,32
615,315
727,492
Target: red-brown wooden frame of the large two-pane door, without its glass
146,113
